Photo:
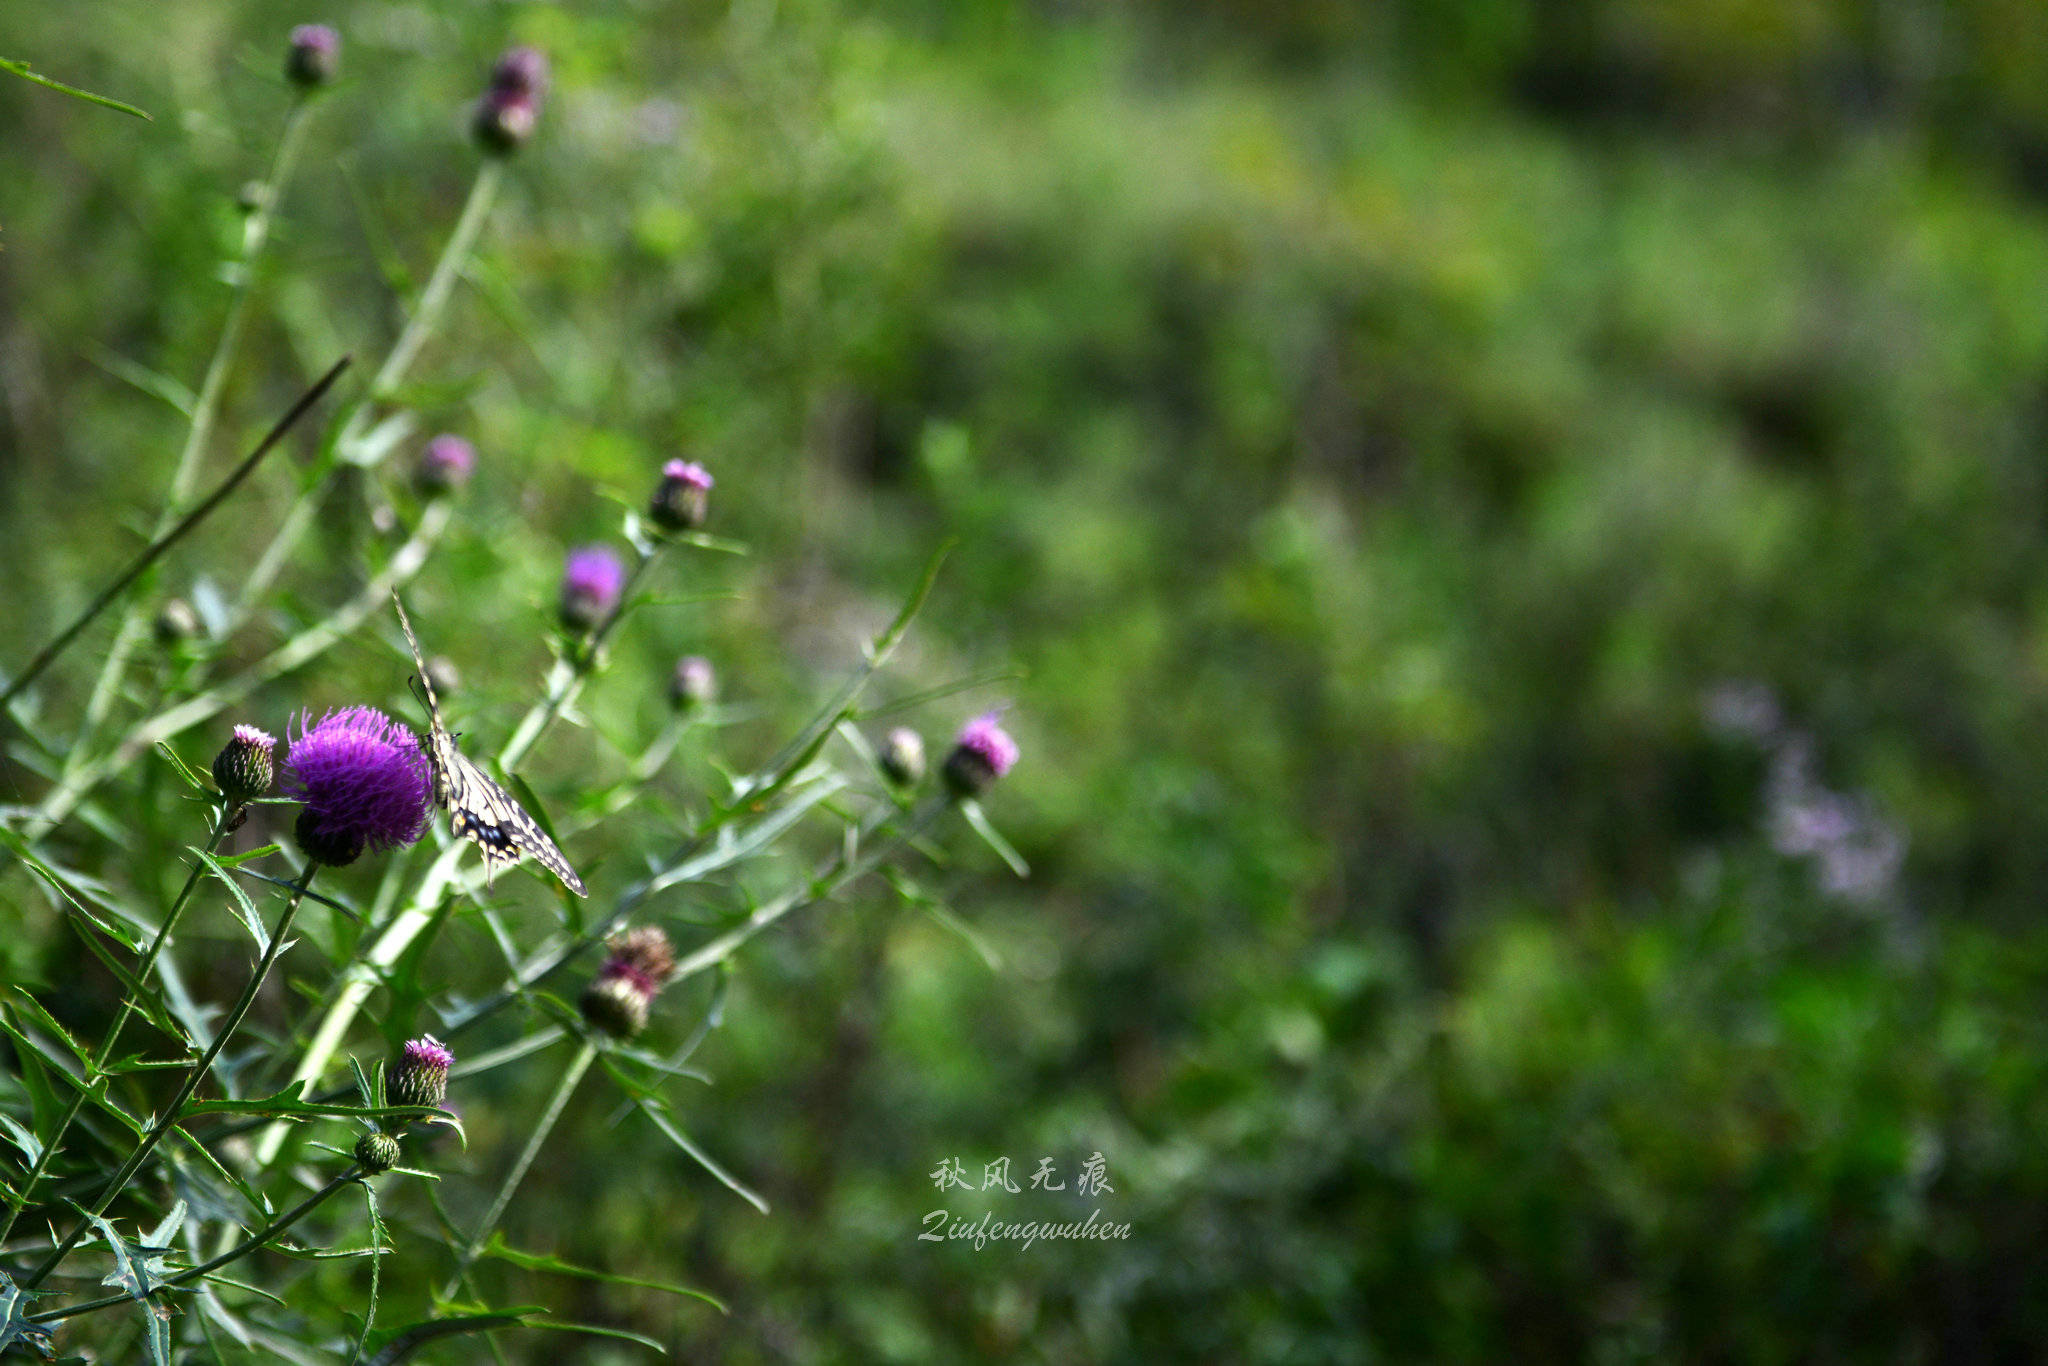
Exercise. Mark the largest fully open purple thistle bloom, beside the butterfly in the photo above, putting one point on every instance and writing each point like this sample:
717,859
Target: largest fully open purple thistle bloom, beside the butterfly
364,781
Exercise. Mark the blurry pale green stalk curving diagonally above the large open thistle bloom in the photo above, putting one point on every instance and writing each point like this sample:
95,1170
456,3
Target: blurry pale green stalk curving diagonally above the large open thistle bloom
296,652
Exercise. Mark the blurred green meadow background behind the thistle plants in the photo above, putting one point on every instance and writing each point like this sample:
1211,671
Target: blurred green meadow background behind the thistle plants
1519,529
